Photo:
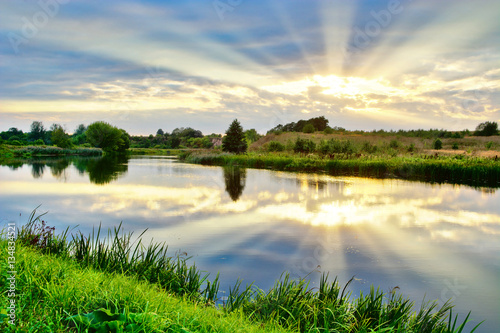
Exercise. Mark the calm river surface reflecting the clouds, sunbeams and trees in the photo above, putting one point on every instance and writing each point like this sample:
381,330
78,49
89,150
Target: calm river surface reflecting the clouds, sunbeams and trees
432,241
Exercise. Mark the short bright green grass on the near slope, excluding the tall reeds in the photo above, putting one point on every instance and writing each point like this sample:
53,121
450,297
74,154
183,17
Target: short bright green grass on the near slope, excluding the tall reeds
56,294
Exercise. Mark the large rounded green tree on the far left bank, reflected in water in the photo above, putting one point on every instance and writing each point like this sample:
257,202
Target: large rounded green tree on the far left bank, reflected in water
109,138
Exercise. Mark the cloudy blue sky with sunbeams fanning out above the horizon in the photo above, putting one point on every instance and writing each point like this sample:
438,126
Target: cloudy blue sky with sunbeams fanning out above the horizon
145,65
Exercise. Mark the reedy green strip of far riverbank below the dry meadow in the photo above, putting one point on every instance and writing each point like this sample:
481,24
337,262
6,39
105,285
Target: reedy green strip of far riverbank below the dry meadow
456,169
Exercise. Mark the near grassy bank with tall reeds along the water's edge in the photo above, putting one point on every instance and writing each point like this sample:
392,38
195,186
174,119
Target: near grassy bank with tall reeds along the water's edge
112,284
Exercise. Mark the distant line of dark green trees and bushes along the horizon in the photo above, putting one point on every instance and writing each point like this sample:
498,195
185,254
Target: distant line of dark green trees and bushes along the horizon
110,138
